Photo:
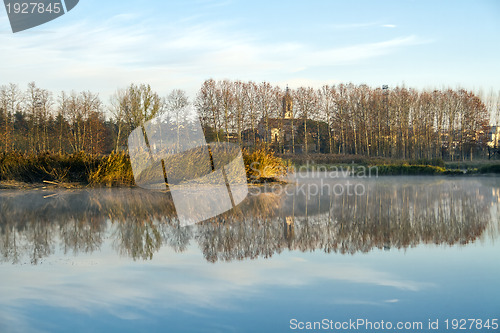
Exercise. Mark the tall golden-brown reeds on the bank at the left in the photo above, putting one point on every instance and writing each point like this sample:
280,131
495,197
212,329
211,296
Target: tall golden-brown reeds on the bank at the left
47,170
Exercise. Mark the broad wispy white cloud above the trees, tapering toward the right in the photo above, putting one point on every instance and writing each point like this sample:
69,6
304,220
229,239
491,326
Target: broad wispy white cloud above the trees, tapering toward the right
126,48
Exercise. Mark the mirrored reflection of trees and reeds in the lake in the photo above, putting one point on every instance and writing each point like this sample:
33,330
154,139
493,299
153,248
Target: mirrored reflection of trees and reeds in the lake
390,214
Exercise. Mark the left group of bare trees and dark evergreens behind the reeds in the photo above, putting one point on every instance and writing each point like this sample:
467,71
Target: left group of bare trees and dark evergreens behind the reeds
33,121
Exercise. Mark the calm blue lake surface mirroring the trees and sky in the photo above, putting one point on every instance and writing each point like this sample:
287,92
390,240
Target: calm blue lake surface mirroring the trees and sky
114,260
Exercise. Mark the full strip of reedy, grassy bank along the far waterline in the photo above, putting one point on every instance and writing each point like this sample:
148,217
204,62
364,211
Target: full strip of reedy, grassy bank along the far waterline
51,170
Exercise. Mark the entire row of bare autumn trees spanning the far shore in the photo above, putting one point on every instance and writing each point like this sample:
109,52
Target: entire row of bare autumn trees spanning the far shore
392,122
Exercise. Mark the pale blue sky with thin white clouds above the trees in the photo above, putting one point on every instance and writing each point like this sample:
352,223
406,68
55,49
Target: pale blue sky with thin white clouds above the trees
102,46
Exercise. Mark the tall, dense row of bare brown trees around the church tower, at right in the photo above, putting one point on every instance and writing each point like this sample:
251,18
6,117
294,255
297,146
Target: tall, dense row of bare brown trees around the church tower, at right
351,119
